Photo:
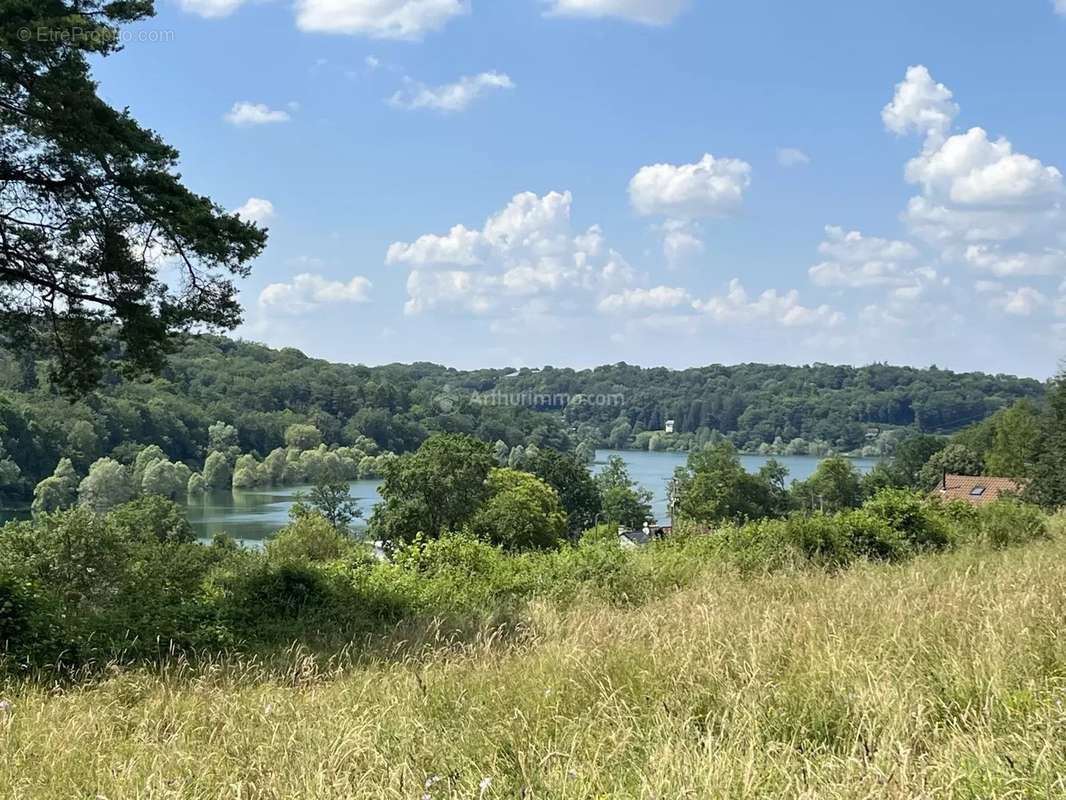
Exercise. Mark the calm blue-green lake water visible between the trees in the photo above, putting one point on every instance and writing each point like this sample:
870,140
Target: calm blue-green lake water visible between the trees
254,516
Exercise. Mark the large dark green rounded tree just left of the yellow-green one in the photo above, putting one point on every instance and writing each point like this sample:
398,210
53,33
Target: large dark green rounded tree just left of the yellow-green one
435,490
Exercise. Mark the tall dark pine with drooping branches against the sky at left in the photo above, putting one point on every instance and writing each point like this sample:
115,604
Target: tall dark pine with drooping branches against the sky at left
92,207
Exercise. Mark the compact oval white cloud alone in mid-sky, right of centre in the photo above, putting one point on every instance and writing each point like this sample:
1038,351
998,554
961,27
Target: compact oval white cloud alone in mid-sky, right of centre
709,188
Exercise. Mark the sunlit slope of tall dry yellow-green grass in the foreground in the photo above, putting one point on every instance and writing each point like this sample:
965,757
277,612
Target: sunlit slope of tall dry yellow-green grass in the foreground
941,679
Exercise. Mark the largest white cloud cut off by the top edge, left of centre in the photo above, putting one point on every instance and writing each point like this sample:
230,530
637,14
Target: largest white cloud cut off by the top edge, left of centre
397,20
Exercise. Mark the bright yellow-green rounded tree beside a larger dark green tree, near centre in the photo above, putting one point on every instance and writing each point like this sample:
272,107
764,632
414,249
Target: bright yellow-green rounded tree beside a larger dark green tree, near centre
522,513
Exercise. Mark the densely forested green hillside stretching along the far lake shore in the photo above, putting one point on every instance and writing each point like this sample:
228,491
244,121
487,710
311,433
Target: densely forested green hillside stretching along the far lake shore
264,393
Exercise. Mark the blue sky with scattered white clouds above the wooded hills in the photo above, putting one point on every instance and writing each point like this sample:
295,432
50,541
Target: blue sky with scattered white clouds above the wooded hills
658,182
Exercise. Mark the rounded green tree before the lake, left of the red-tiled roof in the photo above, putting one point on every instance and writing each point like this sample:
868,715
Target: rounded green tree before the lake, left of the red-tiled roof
716,488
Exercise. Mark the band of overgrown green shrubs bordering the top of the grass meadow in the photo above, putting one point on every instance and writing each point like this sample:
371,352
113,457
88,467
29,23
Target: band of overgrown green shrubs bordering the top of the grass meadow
85,588
